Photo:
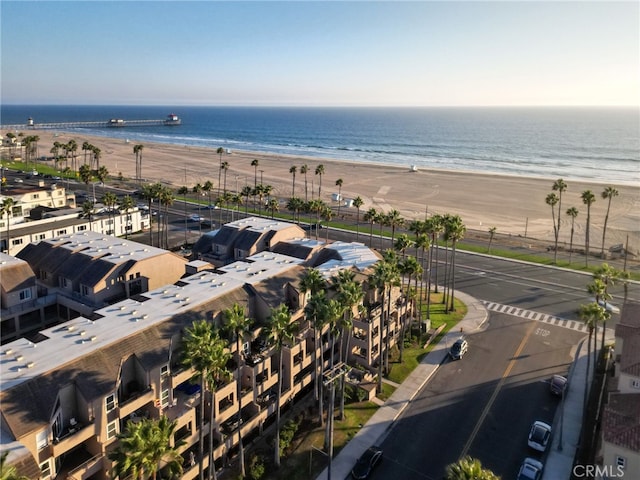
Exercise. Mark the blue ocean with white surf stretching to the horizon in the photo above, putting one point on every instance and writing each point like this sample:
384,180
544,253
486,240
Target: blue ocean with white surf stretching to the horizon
575,143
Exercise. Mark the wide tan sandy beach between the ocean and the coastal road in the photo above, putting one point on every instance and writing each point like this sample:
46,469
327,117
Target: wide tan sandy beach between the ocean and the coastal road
512,204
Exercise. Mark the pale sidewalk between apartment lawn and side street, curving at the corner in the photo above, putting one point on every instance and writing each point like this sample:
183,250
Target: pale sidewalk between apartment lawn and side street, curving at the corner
378,425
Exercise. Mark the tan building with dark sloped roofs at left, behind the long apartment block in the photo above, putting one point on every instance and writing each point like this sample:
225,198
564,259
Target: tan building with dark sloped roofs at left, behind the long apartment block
75,274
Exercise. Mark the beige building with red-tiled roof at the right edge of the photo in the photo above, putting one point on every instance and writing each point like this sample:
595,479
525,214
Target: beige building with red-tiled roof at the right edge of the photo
620,451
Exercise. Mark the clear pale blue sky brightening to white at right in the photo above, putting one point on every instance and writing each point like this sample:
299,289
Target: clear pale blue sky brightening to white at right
330,53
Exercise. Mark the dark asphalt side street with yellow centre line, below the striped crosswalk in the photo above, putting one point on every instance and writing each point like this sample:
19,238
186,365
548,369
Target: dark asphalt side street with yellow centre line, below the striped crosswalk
482,405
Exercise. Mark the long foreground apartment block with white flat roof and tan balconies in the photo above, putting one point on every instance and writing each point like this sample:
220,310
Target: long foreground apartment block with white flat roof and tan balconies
67,392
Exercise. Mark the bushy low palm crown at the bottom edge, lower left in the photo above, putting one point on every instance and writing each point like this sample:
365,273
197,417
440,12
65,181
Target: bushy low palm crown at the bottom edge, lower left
144,447
